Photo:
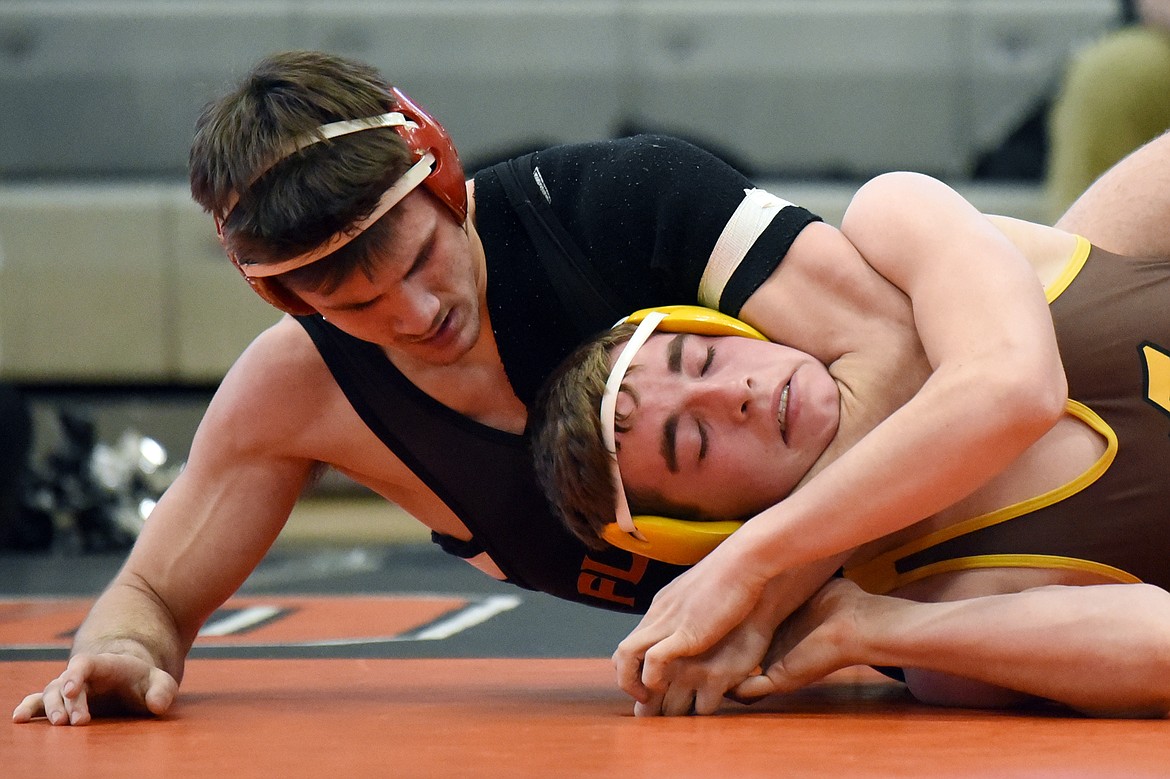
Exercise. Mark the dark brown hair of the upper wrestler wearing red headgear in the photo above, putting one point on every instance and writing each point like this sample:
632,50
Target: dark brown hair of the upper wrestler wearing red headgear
314,194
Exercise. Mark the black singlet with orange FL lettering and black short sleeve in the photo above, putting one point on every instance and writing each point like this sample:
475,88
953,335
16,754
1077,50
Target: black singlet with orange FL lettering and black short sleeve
644,215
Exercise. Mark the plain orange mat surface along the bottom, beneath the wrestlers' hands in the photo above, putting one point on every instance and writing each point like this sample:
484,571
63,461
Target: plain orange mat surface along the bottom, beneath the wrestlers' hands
548,719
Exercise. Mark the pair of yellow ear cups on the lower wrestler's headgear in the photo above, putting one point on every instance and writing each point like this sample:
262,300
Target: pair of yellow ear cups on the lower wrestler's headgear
682,542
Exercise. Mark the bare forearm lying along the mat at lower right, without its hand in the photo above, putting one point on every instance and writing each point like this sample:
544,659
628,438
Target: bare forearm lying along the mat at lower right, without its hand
1100,650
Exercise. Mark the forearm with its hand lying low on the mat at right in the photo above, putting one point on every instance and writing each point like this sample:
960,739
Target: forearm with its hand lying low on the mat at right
1102,650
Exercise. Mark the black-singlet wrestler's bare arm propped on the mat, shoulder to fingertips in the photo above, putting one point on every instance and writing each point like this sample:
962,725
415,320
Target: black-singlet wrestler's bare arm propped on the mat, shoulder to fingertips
207,535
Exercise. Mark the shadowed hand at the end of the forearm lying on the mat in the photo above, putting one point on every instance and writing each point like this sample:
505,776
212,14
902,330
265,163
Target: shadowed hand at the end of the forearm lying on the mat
817,640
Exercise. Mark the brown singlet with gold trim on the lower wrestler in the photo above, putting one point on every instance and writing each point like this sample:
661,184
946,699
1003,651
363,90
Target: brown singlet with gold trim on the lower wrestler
1112,316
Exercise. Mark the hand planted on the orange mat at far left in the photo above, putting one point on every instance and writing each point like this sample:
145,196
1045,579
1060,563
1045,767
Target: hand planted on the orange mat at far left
99,685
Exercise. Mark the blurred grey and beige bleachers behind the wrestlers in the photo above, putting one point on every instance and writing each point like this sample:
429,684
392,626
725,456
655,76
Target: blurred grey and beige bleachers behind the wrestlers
118,306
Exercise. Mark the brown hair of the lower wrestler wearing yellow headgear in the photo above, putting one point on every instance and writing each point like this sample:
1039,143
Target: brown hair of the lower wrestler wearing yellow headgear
573,464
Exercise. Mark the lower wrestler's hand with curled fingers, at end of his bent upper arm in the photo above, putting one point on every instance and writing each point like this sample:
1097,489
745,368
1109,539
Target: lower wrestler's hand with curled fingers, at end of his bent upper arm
686,619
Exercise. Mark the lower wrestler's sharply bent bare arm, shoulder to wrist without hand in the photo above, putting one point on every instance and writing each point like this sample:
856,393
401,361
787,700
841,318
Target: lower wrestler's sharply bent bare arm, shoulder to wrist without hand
996,385
